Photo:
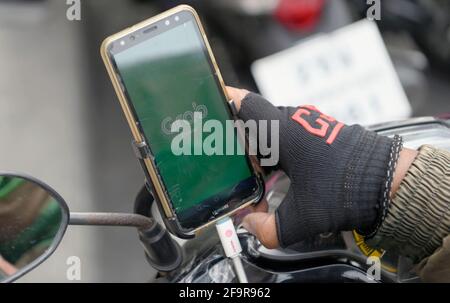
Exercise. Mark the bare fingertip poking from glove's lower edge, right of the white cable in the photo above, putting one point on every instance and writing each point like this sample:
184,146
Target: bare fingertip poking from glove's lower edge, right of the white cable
262,225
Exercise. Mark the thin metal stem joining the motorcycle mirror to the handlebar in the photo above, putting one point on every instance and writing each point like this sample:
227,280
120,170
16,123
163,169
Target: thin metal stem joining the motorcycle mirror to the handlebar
111,219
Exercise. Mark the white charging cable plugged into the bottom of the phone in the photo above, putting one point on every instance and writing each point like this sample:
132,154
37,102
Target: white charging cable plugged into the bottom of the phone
231,246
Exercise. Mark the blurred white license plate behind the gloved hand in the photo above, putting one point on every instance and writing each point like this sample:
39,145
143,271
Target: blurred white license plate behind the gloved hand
347,74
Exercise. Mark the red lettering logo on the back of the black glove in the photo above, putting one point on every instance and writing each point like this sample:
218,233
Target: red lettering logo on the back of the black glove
324,121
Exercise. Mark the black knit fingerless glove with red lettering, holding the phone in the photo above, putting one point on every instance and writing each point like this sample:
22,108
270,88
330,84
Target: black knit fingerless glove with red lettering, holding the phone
336,171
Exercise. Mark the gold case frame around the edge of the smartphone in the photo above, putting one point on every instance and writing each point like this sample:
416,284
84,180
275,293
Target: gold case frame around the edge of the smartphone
151,172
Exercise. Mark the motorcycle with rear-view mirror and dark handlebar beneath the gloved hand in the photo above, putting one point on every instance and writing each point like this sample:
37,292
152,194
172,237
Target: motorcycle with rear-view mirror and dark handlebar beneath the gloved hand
34,218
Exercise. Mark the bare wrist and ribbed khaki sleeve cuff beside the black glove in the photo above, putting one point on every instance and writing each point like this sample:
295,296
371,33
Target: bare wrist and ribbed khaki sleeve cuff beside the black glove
419,215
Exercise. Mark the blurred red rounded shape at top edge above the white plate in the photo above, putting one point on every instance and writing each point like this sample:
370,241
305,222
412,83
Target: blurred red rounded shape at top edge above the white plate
299,14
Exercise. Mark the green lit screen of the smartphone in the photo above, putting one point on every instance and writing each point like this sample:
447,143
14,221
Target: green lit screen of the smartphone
169,76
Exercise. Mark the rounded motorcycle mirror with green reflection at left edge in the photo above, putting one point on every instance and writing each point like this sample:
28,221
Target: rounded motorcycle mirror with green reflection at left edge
33,220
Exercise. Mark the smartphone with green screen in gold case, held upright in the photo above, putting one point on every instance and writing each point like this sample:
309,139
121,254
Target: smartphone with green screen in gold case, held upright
163,69
